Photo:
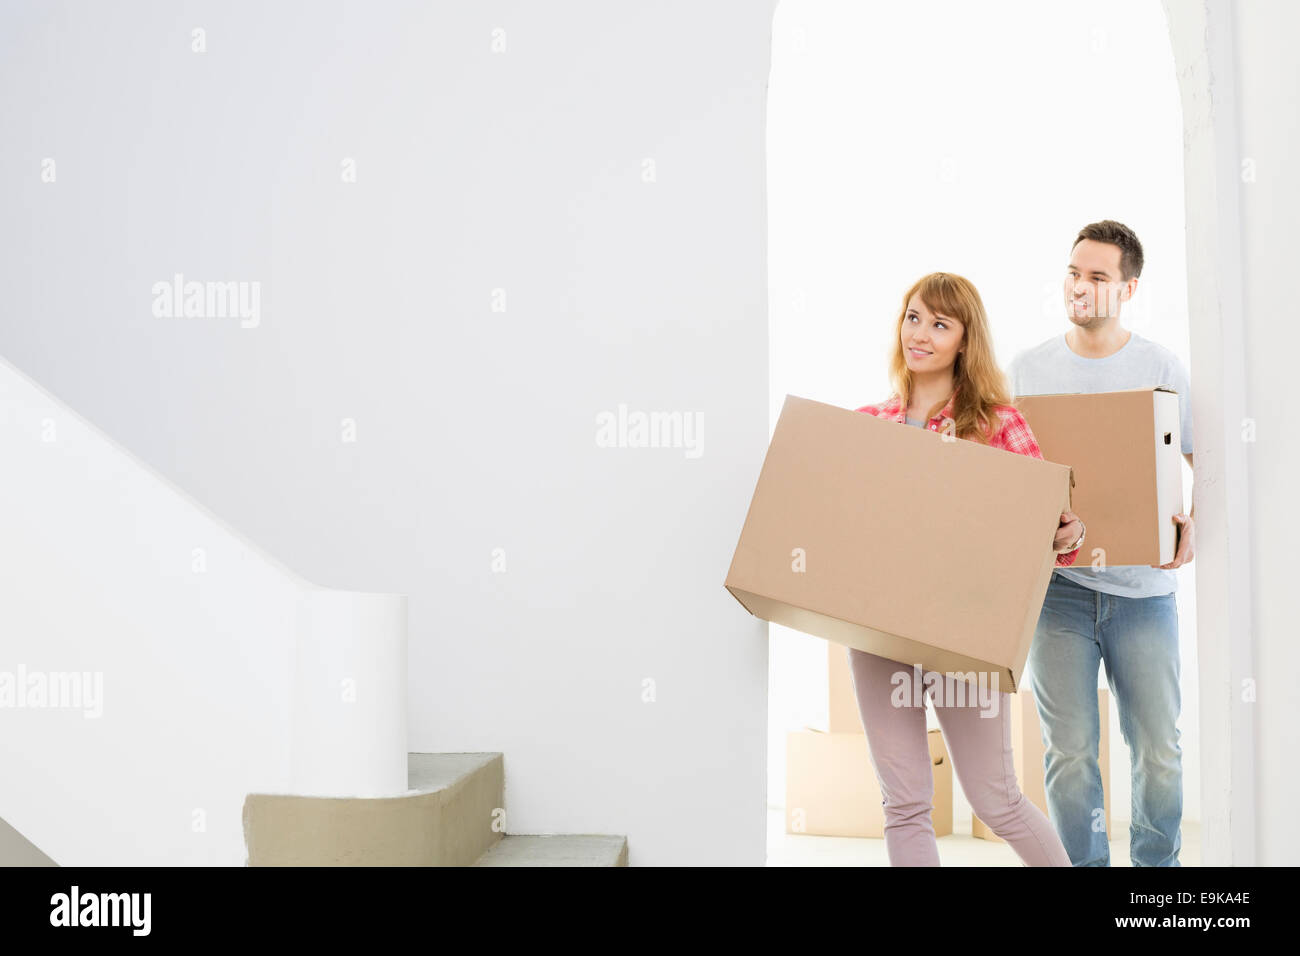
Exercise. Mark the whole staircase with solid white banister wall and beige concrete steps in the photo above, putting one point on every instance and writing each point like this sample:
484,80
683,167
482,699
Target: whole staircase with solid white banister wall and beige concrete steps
150,648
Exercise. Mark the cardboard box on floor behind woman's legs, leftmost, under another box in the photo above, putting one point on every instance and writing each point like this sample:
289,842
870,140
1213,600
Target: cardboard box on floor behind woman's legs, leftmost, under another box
831,789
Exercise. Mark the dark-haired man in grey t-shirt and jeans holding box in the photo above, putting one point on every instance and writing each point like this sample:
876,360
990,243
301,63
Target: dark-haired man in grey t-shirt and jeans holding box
1125,617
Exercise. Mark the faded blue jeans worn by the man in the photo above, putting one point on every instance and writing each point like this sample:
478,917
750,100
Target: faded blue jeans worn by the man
1138,641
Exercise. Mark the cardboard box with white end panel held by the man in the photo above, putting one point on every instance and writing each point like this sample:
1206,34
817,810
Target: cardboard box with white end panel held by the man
1126,453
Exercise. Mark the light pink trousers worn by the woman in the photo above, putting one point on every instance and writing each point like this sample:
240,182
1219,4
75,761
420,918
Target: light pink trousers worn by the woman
980,747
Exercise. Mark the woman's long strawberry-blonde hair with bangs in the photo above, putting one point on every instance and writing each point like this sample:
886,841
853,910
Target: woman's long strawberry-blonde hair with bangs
978,382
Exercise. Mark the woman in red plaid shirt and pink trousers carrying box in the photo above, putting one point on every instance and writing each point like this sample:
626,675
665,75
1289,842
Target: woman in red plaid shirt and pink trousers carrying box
946,379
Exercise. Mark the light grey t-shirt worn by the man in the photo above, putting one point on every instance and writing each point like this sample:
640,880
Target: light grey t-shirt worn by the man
1054,369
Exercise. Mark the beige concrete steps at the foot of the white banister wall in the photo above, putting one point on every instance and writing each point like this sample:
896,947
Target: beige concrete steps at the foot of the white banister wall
453,815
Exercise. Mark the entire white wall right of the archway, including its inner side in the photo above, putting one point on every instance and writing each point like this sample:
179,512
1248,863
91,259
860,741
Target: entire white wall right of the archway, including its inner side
1240,90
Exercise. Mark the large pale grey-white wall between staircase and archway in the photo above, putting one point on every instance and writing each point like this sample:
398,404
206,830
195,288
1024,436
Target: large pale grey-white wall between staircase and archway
521,171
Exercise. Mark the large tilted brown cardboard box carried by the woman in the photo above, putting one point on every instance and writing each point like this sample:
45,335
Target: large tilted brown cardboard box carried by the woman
905,543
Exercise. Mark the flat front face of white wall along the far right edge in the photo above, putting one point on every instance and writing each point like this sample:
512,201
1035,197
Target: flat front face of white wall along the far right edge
1268,90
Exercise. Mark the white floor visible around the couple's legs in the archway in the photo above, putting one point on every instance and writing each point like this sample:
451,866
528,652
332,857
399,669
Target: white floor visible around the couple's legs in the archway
957,850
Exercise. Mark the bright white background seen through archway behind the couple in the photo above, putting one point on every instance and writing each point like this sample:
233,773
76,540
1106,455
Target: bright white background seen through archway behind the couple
912,139
